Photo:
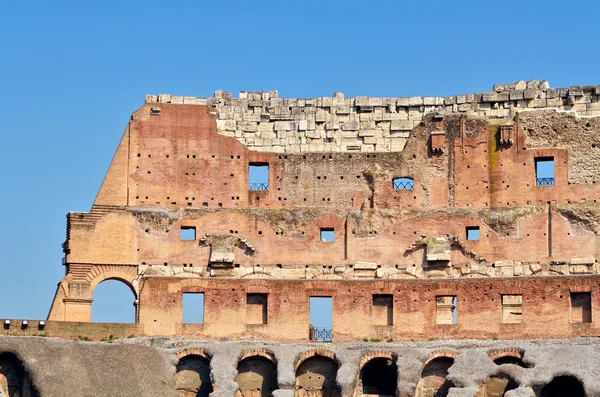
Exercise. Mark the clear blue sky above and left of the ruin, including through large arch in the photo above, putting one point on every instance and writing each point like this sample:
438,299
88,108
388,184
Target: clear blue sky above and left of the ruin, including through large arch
71,73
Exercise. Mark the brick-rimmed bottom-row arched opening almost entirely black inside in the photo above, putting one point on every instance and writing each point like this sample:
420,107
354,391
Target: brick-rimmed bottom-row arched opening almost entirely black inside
379,377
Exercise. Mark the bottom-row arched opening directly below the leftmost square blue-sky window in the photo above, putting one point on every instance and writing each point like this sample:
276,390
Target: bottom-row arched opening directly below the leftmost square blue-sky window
192,378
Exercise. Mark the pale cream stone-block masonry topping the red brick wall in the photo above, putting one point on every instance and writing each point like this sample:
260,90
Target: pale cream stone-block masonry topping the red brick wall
264,122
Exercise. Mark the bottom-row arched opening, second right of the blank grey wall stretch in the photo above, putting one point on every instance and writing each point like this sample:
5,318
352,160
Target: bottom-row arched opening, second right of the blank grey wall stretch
257,377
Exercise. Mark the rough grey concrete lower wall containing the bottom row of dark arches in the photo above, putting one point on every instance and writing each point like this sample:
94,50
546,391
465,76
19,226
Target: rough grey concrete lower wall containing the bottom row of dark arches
162,367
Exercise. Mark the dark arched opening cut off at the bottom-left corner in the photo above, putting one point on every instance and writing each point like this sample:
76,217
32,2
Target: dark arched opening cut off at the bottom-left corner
14,379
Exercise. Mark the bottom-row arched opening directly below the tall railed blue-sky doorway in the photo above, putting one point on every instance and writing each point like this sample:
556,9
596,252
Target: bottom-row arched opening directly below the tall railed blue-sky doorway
316,377
